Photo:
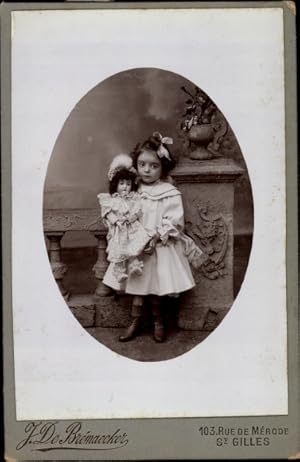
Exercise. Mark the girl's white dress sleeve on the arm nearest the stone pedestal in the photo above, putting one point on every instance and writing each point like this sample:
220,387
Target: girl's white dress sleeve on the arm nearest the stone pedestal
172,220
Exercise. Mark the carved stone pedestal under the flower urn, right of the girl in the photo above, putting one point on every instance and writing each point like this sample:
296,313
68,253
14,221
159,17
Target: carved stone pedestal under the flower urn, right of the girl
208,196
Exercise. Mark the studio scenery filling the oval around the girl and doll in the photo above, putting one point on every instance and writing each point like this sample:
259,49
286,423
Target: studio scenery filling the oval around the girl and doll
211,173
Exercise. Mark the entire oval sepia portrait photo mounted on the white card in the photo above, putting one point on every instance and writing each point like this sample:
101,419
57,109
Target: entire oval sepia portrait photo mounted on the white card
148,214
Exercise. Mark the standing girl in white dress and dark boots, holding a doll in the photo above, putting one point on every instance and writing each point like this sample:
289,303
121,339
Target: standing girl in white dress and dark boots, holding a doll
166,258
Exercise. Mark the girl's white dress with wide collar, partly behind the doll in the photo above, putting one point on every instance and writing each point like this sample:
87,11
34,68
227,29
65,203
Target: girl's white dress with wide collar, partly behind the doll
167,270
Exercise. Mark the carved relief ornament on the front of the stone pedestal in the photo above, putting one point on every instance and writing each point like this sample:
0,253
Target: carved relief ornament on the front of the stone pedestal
211,234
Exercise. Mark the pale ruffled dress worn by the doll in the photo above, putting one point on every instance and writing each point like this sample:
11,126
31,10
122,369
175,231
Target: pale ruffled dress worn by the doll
126,237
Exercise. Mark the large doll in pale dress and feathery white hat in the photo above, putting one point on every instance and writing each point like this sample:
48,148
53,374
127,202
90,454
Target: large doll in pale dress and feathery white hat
120,211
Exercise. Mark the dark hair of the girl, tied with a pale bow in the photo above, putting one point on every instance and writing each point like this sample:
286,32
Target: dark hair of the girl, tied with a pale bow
152,144
